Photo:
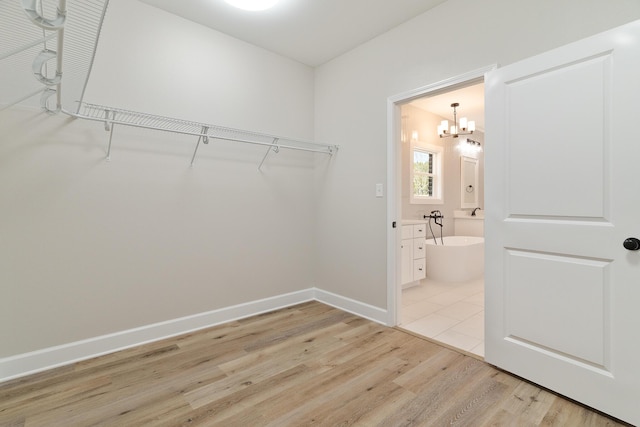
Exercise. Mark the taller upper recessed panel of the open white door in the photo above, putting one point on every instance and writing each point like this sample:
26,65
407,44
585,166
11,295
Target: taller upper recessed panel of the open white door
572,102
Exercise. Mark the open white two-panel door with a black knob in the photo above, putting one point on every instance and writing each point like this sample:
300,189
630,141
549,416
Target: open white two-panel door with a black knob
562,194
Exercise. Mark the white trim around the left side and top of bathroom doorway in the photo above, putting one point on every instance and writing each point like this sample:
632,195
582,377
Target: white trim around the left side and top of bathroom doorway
394,181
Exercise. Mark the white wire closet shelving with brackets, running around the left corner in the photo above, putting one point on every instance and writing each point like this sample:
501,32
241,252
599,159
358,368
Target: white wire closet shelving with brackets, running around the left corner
75,27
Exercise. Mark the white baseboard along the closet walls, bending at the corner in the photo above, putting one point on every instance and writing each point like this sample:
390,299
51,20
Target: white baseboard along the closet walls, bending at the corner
29,363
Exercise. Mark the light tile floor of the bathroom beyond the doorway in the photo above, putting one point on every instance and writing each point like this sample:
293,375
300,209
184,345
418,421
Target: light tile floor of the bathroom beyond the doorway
452,313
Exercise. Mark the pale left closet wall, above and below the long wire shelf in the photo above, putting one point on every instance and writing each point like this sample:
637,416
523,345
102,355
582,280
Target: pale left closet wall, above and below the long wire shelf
90,247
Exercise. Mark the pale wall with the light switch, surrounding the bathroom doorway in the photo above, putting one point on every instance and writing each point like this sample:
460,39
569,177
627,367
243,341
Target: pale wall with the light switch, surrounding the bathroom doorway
351,109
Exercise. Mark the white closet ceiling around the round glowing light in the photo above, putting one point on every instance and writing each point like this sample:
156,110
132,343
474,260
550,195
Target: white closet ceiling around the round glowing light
308,31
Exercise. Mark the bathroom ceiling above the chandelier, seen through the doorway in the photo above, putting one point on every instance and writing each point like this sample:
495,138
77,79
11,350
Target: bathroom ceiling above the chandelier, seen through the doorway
470,98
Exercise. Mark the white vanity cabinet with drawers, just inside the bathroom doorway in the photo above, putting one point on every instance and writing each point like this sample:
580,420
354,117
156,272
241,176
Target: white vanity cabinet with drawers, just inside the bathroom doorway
412,253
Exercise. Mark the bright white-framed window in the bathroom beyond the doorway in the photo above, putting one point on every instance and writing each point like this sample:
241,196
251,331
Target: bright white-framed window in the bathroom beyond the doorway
426,174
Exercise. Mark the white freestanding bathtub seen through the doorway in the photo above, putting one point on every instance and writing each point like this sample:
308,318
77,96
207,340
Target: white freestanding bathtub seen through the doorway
461,258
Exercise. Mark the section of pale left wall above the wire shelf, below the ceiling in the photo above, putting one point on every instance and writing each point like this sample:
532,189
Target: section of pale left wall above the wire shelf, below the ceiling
153,61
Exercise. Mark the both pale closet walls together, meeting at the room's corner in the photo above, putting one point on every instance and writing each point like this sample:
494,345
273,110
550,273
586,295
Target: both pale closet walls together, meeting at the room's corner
89,247
